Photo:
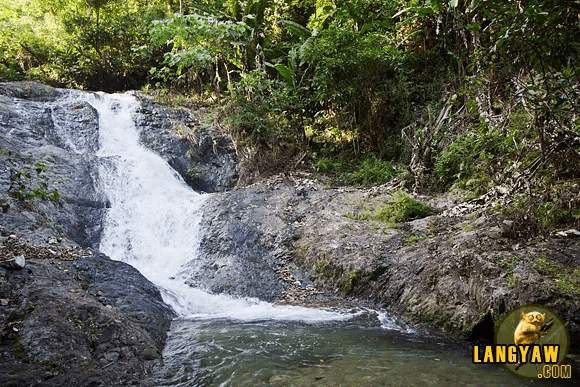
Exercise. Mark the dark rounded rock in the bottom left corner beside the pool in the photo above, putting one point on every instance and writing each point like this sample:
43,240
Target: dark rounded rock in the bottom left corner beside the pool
51,336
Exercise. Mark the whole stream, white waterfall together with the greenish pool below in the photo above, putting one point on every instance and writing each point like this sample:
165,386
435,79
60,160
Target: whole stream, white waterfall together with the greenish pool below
153,223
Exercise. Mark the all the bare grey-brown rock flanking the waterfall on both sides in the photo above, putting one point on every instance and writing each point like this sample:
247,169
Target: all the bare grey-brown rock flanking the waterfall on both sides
71,316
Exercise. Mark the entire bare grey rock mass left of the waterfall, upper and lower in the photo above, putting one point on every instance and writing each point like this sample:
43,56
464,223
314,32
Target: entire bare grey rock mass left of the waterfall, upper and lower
65,320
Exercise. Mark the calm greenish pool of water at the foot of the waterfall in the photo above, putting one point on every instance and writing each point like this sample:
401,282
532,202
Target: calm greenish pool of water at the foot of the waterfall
226,353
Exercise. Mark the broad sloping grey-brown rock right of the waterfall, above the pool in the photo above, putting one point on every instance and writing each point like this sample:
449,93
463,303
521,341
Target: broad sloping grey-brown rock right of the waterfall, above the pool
459,273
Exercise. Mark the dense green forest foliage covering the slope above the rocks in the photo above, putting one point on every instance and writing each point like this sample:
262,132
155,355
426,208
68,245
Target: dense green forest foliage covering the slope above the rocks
471,94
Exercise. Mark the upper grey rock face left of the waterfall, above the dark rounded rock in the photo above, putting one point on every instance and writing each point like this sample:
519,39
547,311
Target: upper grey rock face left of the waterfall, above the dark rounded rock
63,137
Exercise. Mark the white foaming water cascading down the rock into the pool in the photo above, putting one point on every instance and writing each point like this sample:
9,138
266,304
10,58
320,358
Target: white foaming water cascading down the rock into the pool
153,221
